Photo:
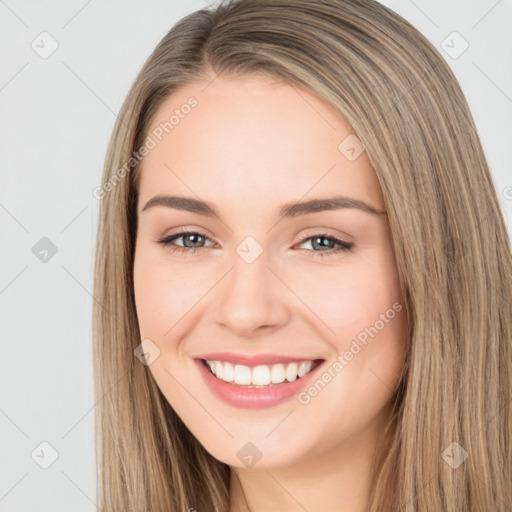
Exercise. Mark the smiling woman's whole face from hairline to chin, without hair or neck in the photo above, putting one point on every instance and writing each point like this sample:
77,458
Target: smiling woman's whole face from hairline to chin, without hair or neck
304,283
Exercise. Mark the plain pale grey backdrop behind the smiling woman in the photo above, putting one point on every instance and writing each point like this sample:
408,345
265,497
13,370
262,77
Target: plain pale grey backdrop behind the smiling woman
57,114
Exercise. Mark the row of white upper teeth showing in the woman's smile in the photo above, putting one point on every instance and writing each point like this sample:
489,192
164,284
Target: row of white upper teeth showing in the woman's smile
263,375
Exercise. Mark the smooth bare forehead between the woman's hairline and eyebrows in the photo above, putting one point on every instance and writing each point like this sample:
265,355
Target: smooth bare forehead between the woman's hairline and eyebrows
248,140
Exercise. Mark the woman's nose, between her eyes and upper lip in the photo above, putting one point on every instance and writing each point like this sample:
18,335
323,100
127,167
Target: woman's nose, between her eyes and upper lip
251,299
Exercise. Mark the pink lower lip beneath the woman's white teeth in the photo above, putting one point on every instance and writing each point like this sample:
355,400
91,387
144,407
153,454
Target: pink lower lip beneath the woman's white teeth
255,398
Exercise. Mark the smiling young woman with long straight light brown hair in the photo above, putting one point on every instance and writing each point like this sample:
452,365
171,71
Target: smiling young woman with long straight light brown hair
303,282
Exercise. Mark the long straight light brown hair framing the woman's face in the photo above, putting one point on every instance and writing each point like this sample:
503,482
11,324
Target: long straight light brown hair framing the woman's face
450,241
